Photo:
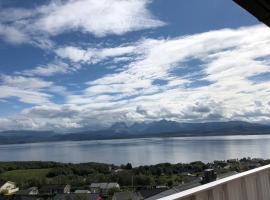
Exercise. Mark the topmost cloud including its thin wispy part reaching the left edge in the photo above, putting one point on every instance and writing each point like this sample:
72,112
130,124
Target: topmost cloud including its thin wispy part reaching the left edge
99,18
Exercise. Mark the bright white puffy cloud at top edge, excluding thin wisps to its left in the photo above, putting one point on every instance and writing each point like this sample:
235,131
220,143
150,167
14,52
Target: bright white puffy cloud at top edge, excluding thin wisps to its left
100,18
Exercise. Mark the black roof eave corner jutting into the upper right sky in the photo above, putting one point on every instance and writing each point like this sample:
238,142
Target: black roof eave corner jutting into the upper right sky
259,8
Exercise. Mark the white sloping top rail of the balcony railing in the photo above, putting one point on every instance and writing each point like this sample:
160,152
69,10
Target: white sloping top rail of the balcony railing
213,184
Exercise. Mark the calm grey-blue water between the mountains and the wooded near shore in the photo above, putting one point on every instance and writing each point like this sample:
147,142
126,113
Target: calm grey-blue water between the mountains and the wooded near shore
142,151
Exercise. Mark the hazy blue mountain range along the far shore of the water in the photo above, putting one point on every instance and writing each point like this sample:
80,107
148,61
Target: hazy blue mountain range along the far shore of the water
121,130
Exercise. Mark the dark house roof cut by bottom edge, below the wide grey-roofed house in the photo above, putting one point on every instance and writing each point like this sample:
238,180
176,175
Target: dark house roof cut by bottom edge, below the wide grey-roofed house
74,196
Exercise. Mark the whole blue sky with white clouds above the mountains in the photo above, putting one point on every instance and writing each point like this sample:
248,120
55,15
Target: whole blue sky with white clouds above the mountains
87,64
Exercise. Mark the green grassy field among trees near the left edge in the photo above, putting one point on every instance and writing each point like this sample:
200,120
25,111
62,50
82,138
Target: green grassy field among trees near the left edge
20,176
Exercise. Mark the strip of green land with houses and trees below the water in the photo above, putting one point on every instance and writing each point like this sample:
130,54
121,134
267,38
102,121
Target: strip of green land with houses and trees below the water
96,181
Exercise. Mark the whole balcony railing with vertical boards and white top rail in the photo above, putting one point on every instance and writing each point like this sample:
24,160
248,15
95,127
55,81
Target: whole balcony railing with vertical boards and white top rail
250,185
